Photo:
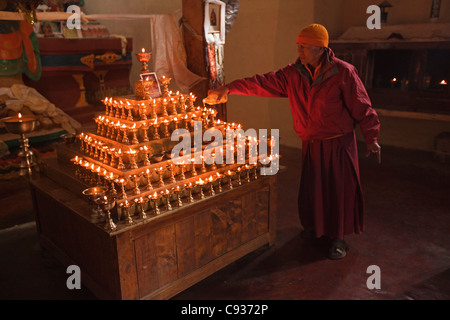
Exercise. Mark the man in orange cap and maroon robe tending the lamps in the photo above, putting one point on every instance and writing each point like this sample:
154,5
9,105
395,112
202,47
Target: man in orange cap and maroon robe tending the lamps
327,100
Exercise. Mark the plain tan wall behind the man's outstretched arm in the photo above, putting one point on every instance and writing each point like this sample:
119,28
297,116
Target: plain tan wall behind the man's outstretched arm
261,40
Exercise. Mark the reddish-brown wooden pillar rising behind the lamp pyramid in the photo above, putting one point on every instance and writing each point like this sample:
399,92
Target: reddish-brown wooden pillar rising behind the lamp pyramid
194,42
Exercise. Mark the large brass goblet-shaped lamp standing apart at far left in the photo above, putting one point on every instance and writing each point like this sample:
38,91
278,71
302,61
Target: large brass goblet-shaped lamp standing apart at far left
21,125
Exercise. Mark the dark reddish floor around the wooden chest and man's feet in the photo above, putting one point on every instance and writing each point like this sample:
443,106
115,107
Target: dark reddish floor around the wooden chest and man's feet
407,236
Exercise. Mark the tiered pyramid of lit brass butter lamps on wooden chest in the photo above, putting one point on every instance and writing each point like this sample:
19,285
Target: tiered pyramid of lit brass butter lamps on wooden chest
125,156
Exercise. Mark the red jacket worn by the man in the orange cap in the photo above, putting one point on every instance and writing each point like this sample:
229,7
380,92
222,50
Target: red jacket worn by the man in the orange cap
322,108
